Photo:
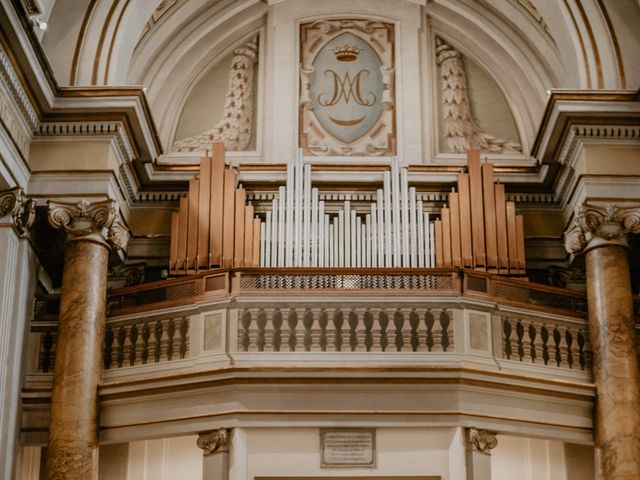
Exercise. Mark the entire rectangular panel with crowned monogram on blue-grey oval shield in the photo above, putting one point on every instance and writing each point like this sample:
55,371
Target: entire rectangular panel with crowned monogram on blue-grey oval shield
347,104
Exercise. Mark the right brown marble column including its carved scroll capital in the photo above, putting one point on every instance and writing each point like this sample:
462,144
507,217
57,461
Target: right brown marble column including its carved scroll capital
600,233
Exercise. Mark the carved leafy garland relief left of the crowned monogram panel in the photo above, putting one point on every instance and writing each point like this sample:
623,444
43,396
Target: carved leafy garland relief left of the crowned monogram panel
235,126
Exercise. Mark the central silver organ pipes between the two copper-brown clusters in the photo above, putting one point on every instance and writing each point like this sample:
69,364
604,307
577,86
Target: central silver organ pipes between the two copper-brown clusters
394,232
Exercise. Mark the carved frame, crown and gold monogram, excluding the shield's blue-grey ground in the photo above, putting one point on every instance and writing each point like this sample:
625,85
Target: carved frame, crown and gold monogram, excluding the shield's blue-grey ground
380,137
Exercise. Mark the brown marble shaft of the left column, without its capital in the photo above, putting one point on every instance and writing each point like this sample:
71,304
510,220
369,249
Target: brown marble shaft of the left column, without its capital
73,427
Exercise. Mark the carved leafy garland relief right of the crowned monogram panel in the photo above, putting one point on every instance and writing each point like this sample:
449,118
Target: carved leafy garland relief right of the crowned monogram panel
460,128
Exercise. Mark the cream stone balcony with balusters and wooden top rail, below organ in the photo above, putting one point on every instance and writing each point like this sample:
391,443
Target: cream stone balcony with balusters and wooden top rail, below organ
432,345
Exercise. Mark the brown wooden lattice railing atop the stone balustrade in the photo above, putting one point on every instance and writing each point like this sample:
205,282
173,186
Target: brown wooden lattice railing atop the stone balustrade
344,282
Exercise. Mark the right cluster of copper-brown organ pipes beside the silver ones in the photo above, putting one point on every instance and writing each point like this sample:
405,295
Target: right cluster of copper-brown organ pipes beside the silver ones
479,228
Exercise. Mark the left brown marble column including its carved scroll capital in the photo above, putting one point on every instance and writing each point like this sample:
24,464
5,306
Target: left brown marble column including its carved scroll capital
92,229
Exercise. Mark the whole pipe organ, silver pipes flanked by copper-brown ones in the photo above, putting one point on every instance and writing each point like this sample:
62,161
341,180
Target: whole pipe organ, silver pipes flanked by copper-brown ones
216,227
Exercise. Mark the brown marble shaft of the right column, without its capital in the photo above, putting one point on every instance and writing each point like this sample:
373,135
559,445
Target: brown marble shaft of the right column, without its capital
611,324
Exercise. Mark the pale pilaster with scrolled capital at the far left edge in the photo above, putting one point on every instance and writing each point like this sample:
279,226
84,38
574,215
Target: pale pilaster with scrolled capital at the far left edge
17,281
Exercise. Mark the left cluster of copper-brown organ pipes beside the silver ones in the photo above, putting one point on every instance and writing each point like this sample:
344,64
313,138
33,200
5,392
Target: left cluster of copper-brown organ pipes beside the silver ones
214,227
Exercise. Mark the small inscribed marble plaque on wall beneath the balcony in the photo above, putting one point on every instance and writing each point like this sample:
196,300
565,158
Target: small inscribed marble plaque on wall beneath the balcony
348,448
